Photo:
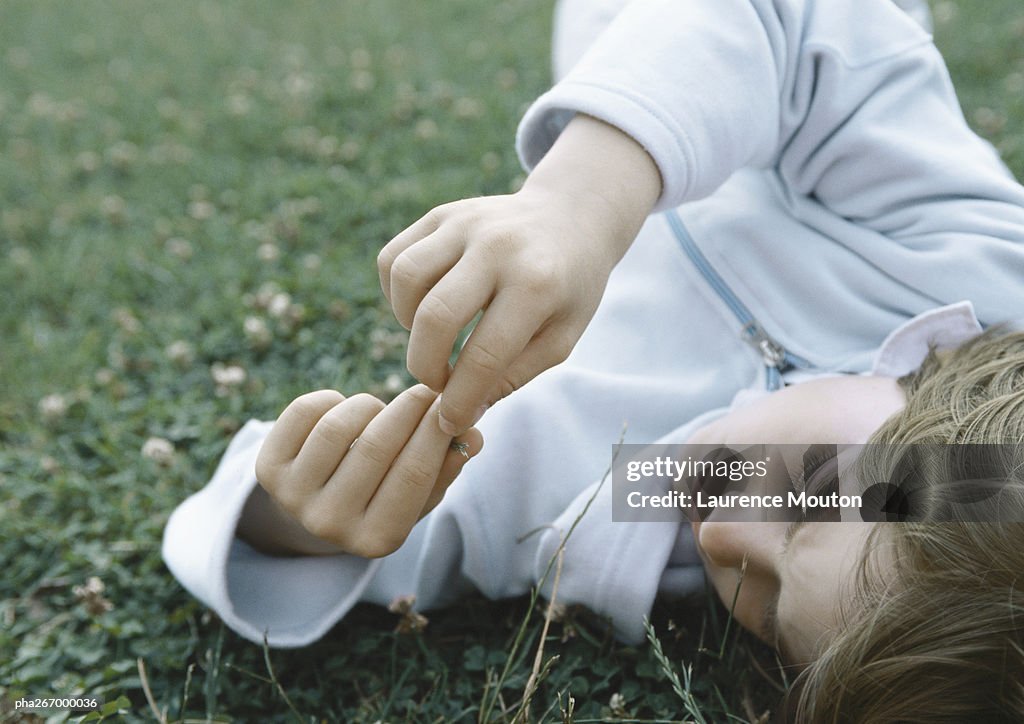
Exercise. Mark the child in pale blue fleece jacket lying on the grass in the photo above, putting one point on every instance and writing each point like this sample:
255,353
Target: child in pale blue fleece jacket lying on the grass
827,215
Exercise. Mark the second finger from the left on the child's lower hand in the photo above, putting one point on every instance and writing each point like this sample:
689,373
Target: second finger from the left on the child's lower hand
327,445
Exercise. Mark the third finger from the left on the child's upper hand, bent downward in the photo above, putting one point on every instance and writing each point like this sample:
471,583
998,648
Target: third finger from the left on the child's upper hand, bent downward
442,315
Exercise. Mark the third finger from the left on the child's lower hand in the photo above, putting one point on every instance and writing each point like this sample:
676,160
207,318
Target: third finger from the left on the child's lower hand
368,461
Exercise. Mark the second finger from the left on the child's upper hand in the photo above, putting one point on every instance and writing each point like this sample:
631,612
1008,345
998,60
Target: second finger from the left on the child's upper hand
419,269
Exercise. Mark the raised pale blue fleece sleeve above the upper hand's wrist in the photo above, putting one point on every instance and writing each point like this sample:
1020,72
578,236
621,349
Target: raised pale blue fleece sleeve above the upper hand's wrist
848,100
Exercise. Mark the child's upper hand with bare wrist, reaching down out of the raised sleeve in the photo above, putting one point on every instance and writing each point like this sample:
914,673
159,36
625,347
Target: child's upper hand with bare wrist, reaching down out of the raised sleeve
536,263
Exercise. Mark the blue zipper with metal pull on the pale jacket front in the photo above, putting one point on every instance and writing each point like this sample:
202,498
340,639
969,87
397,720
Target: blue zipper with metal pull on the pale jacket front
777,359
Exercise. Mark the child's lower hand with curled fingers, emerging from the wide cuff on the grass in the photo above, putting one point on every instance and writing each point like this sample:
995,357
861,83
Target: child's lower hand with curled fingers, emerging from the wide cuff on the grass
357,474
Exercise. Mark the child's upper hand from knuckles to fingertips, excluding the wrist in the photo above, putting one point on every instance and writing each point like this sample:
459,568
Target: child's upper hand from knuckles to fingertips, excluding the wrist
537,271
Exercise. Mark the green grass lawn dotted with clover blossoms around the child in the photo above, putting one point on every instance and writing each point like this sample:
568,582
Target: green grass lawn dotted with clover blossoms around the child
192,196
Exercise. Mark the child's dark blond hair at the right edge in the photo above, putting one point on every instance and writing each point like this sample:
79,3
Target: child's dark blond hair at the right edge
941,637
